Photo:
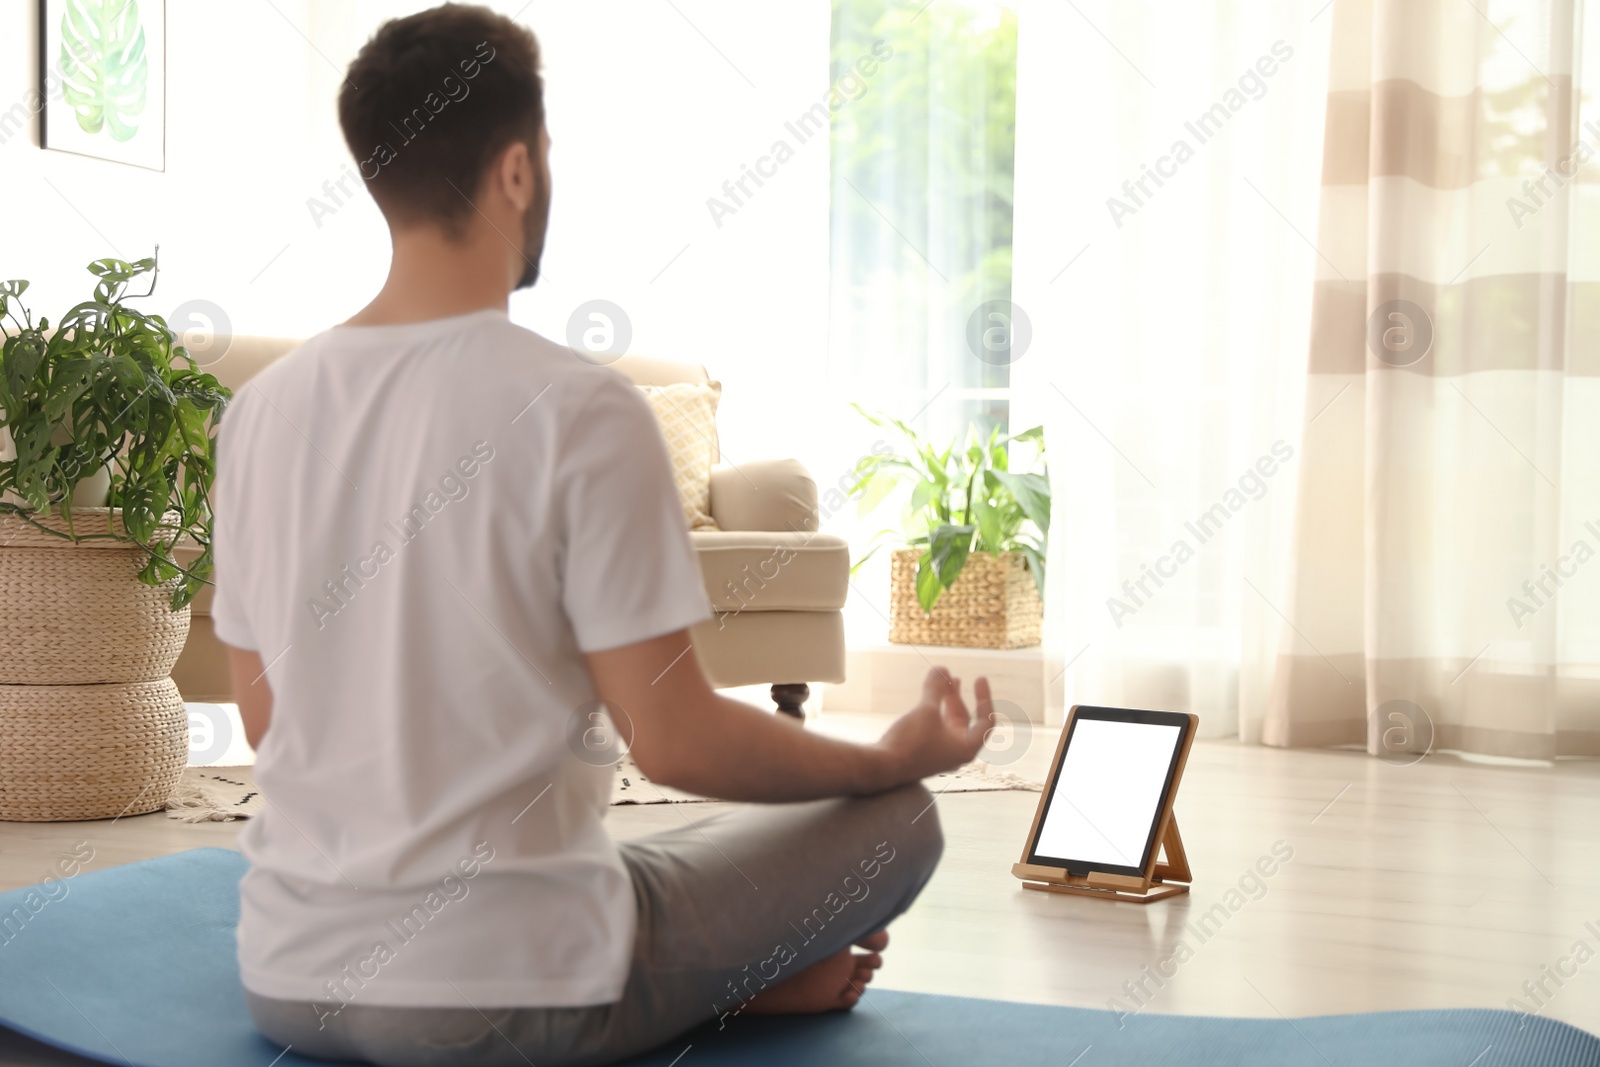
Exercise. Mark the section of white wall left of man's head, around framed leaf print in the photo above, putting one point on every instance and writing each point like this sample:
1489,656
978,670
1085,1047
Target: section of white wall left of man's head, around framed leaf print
236,114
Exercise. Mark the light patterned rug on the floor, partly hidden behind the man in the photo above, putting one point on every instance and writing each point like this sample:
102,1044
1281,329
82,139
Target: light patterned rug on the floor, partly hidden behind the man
222,794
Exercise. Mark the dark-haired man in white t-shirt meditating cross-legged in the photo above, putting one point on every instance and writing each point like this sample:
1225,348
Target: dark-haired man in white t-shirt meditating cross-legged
442,543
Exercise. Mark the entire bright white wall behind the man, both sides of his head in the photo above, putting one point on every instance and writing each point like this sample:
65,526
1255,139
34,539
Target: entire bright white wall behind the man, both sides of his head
647,118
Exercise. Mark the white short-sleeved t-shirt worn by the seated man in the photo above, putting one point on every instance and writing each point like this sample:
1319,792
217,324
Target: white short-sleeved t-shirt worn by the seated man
422,530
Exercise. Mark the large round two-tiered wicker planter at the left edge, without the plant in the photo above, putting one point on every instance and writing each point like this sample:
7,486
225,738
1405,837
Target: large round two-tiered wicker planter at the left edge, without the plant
92,725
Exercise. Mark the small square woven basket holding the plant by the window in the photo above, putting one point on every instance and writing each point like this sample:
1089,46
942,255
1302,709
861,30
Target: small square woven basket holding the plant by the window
994,604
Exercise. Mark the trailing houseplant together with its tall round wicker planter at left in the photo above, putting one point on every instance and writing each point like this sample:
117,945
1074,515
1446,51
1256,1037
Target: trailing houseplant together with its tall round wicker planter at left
106,466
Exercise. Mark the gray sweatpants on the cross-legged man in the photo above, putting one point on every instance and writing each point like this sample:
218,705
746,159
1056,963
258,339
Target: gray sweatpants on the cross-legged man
727,906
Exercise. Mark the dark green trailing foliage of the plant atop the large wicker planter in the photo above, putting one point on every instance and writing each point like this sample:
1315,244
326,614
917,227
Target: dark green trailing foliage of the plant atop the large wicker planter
111,390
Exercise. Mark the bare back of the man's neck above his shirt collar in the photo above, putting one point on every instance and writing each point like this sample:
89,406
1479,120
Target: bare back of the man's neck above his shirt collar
436,278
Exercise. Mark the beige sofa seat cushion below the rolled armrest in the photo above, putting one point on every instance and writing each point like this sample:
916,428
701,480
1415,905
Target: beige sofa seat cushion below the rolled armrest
754,570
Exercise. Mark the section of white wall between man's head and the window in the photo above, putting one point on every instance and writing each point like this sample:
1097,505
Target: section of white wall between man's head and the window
649,121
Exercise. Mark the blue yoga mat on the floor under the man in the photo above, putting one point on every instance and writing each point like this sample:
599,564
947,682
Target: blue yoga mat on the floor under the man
135,965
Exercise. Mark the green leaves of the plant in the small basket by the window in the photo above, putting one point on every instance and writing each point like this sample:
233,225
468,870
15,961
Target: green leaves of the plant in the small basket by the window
966,502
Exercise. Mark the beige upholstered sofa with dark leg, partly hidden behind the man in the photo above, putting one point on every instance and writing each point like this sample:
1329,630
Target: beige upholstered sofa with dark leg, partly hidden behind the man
777,586
